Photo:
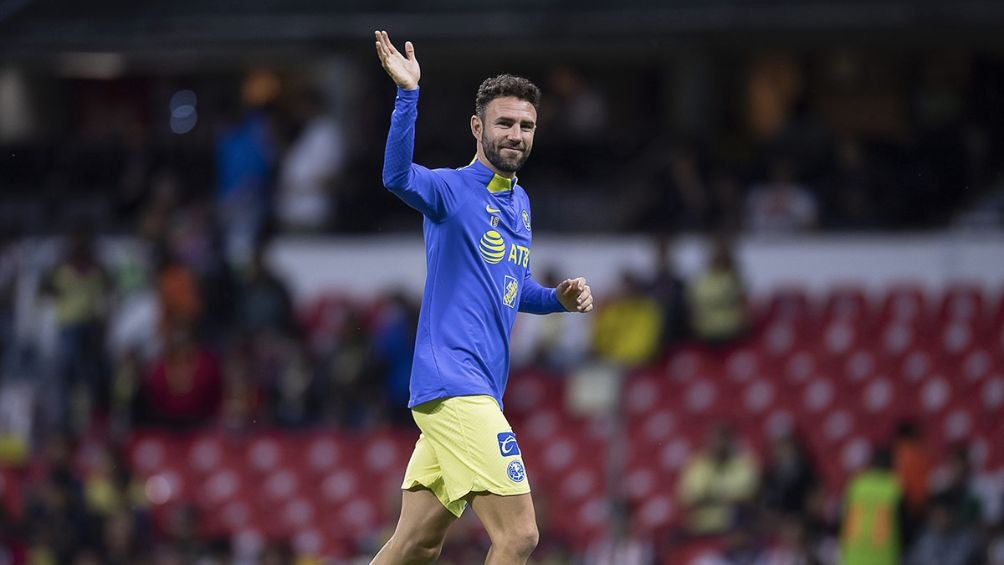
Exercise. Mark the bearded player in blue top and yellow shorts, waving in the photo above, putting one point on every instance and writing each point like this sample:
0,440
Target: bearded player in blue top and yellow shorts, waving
477,232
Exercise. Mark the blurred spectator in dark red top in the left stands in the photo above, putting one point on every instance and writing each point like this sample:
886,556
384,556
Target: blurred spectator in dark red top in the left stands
184,388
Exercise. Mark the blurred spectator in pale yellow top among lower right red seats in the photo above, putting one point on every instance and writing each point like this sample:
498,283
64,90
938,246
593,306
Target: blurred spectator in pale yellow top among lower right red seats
717,485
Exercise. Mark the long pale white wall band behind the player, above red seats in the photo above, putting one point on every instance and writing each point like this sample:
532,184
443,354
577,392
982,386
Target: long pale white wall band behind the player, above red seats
364,266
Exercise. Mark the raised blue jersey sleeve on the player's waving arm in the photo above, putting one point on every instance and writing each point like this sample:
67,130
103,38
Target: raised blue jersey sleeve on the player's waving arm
422,189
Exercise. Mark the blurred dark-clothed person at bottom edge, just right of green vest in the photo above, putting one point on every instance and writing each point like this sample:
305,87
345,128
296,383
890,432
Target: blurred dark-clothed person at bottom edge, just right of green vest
944,540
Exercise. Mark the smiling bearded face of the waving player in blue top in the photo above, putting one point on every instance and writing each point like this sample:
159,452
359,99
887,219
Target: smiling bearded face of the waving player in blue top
507,134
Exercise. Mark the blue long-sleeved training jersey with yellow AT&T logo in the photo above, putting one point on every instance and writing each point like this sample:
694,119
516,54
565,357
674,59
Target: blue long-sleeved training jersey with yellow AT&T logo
477,234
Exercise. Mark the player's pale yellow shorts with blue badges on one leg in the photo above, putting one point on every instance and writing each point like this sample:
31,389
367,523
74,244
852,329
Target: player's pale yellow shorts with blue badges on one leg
466,447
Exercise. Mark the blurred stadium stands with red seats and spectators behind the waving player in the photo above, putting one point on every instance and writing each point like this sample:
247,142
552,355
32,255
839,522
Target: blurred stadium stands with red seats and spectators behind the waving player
792,213
